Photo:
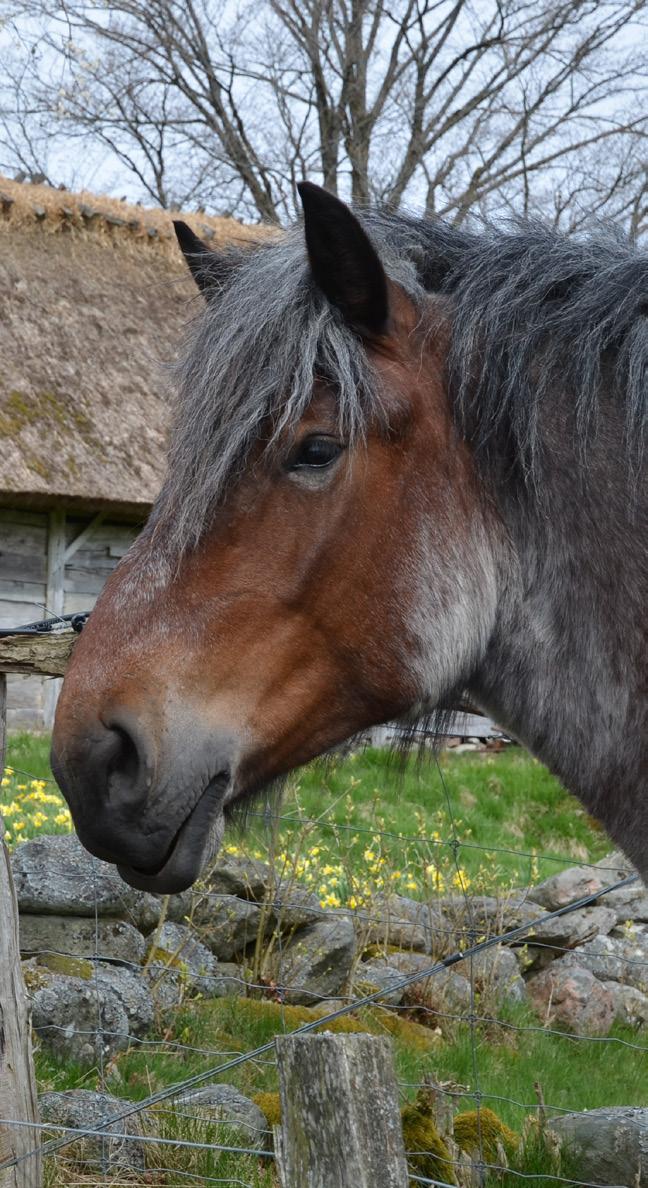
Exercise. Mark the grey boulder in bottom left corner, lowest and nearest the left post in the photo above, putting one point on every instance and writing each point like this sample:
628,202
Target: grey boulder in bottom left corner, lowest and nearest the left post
118,1152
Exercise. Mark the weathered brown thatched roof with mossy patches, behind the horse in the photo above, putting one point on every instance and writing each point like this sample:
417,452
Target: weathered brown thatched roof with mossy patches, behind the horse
93,296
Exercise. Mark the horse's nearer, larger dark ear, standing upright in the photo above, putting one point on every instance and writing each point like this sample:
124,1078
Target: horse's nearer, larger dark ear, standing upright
344,262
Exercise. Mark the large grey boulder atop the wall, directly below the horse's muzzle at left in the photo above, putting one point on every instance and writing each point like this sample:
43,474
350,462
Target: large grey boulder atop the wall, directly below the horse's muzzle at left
56,876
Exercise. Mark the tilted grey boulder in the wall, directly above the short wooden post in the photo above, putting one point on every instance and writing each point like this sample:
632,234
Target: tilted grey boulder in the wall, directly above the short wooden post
316,963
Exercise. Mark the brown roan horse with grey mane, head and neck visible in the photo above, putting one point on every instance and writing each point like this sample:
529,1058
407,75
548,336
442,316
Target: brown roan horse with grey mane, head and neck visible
407,464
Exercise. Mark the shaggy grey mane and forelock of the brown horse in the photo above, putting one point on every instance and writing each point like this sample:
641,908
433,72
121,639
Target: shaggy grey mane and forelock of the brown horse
532,313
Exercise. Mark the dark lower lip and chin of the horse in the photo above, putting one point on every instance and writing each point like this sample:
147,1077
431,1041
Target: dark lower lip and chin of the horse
193,846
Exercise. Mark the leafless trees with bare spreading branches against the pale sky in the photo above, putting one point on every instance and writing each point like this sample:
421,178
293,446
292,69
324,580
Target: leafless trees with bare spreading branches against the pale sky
448,105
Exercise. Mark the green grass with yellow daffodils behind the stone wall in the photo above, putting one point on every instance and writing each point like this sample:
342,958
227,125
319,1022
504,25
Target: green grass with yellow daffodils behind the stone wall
353,827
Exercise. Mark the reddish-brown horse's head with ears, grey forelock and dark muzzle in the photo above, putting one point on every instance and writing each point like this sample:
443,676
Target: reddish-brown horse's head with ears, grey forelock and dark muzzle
320,558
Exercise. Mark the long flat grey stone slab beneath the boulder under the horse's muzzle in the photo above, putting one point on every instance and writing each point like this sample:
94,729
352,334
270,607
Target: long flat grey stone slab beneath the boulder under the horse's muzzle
80,937
